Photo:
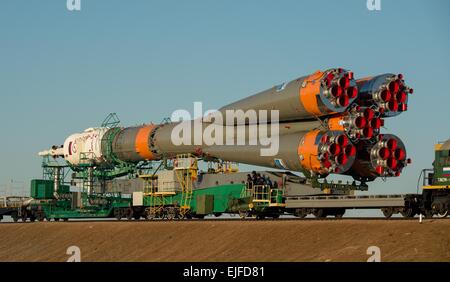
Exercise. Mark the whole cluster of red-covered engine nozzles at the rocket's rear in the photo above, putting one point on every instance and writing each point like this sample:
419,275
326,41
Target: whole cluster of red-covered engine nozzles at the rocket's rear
366,104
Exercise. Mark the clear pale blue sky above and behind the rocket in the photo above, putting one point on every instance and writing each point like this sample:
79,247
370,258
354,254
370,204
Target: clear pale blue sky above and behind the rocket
63,71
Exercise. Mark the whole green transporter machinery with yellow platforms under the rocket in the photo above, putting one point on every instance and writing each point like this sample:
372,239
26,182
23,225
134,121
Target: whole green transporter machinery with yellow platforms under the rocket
170,194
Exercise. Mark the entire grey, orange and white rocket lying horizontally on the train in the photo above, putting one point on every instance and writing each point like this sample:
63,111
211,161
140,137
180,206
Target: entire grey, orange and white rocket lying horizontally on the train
329,122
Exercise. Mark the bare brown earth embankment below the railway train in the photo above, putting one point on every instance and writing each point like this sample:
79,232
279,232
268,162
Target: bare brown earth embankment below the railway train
329,240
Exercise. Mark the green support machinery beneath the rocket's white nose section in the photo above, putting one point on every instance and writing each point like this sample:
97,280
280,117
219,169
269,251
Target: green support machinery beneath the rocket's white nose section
55,198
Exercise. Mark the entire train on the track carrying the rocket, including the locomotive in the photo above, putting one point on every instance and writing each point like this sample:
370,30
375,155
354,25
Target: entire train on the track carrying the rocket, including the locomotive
184,192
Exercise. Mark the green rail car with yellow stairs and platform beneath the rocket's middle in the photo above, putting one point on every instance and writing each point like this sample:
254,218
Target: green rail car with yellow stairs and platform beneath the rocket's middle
177,199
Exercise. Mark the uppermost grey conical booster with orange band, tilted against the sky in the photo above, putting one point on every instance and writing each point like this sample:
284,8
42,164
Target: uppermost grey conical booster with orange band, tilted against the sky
315,95
